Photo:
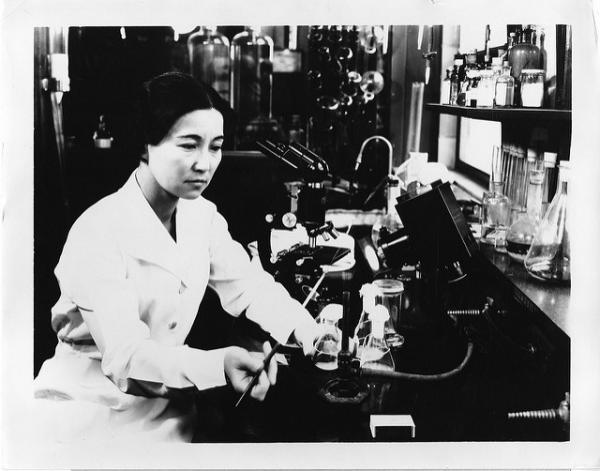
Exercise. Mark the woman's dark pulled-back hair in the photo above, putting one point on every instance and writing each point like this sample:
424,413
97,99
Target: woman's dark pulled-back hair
168,97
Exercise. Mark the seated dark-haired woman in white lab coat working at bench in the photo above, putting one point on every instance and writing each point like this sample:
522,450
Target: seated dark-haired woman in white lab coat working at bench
132,273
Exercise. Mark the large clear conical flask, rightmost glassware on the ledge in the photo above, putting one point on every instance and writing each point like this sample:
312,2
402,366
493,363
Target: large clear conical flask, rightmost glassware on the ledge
549,258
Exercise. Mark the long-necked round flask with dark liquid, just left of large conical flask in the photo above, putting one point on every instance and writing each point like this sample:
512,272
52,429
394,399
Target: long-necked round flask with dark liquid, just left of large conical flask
520,234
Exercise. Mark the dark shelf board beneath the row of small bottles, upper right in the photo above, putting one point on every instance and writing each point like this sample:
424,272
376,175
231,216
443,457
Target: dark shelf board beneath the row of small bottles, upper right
502,114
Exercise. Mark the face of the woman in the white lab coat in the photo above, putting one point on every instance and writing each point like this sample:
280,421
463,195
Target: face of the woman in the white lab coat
184,162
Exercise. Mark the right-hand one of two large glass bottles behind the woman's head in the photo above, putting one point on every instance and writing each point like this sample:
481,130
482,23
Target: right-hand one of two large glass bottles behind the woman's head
251,62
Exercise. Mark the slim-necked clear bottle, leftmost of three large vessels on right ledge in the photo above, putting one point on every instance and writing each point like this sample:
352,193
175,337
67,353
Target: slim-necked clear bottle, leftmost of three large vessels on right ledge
495,207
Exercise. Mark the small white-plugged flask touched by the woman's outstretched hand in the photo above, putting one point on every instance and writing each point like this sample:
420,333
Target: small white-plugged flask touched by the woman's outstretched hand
329,343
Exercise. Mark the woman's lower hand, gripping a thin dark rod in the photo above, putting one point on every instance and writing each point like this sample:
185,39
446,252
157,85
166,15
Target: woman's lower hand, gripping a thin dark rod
241,365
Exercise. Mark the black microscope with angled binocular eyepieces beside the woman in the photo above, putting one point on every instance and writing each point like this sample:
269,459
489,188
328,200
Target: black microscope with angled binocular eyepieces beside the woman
297,245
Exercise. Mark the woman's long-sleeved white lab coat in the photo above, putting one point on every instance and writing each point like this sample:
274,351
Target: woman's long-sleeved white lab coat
129,296
